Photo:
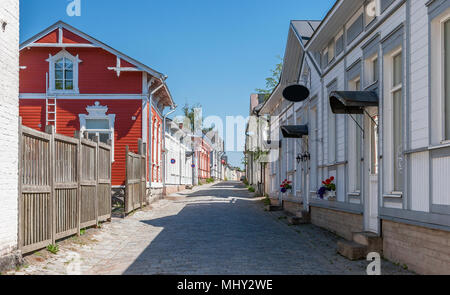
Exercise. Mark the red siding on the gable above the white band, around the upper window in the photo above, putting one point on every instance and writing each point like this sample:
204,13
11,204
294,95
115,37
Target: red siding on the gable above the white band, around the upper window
94,76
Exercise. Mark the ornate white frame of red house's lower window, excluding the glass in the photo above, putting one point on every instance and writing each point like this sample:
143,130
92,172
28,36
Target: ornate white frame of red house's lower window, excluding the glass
98,112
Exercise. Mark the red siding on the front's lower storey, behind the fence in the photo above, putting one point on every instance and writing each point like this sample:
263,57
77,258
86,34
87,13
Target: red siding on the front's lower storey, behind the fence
127,131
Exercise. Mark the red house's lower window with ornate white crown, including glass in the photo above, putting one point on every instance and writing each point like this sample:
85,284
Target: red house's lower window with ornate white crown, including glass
98,123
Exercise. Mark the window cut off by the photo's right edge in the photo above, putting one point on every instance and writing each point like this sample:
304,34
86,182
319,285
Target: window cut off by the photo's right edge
446,59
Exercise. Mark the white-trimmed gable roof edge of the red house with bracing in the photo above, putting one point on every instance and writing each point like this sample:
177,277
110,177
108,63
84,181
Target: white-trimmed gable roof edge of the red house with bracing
93,43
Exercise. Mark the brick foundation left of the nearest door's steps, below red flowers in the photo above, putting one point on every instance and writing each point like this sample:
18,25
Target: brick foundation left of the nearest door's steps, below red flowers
341,223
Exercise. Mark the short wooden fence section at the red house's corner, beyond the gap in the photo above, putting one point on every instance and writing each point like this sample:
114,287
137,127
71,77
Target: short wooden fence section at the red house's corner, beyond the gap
135,186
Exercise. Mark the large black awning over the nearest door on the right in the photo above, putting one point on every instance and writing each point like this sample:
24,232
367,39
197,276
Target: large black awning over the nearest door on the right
352,102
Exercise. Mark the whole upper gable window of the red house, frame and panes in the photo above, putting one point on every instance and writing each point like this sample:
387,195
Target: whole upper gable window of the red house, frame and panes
63,73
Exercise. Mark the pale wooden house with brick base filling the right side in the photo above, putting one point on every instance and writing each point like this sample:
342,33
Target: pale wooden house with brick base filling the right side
389,155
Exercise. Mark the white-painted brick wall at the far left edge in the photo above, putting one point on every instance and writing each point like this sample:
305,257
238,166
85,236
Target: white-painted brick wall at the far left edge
9,110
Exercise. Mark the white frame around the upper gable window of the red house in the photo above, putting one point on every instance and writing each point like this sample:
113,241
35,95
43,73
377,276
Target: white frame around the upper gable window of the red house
51,83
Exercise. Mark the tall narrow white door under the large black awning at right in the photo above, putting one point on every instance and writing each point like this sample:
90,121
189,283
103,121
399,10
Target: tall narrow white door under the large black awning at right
371,221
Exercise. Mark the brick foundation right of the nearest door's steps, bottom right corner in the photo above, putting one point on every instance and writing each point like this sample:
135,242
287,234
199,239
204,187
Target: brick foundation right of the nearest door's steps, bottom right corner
423,250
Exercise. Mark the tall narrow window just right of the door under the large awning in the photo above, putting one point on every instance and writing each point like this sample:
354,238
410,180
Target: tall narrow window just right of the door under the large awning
397,119
